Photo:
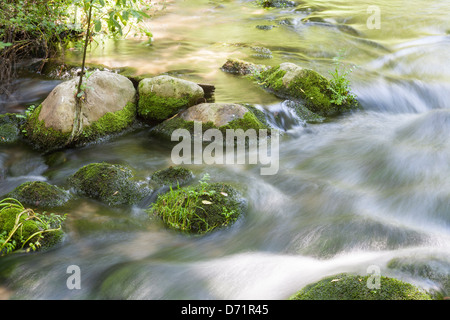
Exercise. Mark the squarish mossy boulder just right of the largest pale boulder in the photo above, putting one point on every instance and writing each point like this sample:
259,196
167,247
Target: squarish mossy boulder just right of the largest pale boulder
164,96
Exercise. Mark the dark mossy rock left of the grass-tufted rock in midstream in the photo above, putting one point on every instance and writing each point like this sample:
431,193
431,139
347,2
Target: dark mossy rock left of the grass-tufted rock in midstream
112,184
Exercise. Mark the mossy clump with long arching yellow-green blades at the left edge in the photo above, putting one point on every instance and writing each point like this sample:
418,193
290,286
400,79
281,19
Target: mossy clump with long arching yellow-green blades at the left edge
24,229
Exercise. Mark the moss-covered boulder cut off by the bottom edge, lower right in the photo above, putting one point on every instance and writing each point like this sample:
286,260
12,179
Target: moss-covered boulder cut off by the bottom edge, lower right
354,287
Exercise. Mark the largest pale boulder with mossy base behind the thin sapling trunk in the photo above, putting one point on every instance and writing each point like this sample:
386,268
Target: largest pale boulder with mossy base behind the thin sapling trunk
108,108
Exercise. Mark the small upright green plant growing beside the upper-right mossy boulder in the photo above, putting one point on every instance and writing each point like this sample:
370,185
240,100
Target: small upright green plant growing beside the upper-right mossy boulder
339,84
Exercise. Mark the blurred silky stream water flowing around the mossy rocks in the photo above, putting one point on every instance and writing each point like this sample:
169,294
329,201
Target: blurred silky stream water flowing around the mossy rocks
368,188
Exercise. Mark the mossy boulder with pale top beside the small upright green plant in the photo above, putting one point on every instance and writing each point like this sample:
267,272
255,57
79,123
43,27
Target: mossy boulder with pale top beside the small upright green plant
290,81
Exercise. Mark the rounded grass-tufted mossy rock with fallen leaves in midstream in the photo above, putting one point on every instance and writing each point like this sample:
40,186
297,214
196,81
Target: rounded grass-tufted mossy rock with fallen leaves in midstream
198,209
